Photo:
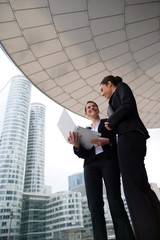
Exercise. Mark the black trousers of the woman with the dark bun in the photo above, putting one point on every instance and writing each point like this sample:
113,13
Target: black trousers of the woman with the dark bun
143,203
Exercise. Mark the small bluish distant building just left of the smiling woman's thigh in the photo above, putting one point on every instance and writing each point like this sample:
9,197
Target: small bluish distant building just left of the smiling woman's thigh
75,180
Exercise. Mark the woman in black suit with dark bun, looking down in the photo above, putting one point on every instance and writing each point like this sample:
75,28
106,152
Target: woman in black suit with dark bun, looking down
143,204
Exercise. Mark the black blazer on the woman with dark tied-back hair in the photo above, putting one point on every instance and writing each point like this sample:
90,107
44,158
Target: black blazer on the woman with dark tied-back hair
125,117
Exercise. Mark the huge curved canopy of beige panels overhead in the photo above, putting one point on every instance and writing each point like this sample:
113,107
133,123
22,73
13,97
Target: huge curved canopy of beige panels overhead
66,47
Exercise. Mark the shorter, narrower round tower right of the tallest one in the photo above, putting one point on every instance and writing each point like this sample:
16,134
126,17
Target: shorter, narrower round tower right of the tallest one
34,174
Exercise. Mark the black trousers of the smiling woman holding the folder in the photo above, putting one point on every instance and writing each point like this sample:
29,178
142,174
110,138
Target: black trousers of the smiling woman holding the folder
108,170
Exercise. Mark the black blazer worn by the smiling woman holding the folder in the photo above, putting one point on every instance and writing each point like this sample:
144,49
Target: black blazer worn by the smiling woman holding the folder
109,151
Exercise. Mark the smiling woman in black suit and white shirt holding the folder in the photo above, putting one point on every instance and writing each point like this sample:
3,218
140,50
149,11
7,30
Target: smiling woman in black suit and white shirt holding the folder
100,162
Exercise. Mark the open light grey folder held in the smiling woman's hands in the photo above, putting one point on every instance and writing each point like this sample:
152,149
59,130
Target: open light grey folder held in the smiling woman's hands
66,125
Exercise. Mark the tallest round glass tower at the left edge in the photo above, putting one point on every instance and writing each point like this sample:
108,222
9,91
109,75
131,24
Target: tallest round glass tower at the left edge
13,149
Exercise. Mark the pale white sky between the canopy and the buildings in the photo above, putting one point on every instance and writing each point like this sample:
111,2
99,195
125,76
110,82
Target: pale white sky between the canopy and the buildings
60,161
